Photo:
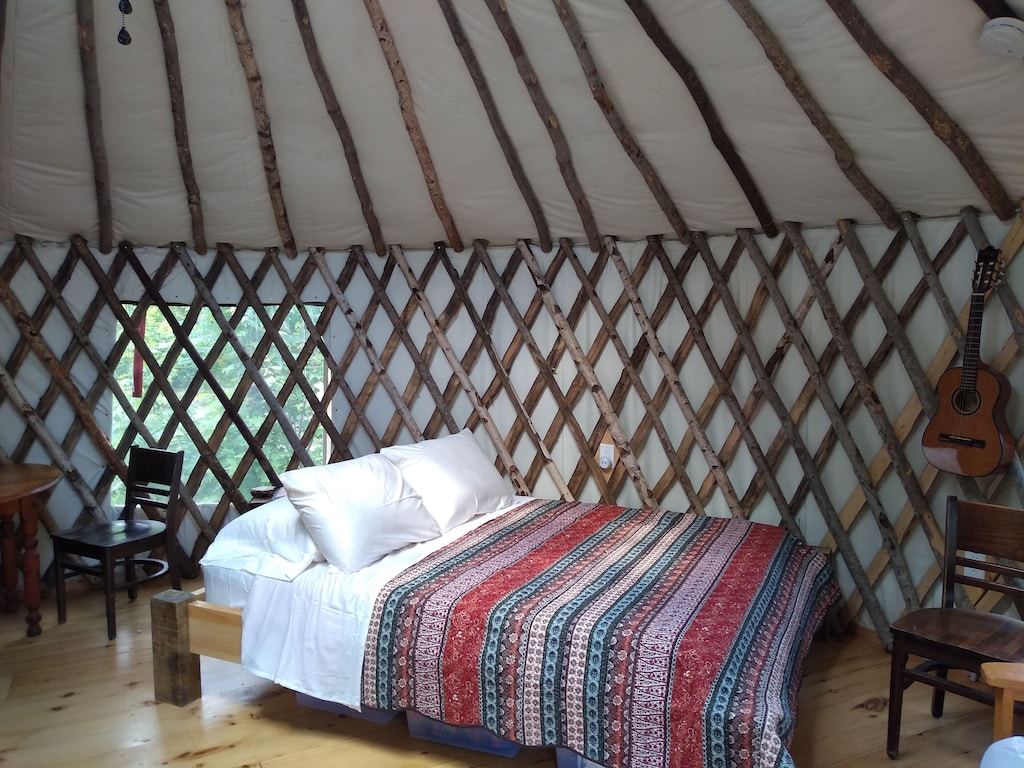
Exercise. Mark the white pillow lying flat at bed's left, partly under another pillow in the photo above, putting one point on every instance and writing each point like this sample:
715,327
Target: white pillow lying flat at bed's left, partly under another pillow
270,541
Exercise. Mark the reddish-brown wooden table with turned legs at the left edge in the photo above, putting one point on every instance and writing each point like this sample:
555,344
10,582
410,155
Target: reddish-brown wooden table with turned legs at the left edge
23,490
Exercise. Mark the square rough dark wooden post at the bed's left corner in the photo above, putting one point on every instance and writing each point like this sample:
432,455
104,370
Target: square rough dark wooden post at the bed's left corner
177,676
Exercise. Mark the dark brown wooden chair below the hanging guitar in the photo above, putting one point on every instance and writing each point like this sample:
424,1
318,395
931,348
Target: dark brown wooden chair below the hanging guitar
985,549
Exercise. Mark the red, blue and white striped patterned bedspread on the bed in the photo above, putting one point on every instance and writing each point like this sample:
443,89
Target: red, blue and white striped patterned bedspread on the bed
637,638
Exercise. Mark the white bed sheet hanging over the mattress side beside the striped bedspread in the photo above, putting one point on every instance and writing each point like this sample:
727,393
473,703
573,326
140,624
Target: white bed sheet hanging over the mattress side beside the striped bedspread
309,634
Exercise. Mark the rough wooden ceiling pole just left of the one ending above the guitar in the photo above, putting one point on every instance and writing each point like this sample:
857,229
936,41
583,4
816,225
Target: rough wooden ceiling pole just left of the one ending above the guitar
844,155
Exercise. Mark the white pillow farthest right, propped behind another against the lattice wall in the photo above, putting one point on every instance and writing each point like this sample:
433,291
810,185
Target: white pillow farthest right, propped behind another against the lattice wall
454,478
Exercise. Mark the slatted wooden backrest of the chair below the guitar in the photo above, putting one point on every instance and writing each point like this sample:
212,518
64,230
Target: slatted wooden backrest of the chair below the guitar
995,536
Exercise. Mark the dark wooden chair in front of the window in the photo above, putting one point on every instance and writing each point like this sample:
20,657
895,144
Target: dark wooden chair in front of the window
154,481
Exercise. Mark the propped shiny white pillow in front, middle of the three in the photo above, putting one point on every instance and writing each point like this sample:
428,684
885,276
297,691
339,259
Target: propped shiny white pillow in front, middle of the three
360,510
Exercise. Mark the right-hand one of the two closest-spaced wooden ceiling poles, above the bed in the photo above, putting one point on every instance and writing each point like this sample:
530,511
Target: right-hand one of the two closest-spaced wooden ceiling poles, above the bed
547,114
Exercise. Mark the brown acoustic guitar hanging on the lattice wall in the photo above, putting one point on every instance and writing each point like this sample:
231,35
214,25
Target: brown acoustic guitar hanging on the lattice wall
969,435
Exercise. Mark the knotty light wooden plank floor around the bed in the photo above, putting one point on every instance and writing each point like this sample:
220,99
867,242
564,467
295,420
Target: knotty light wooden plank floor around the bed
70,698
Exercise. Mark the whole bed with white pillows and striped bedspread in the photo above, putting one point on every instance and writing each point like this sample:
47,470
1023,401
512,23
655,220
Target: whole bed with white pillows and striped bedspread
625,638
